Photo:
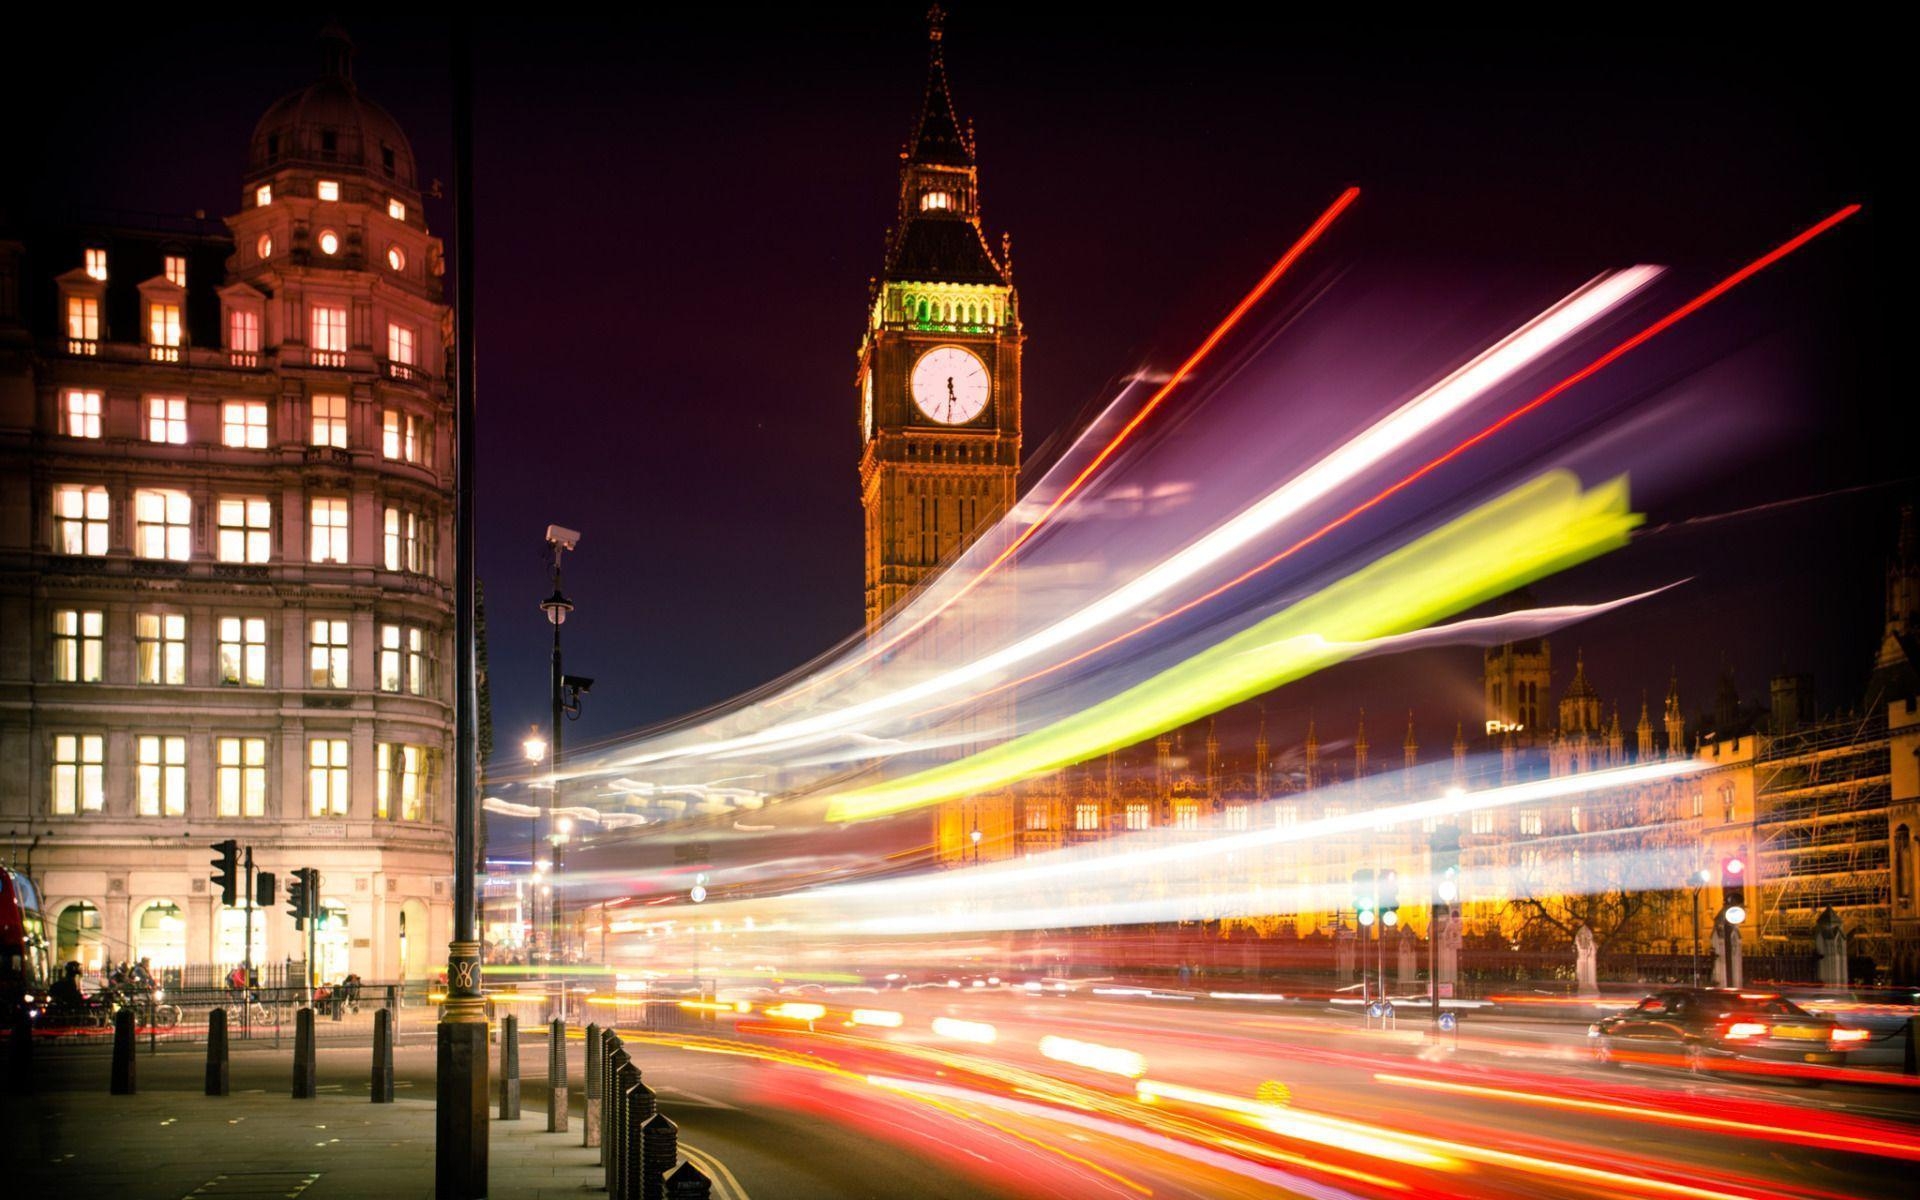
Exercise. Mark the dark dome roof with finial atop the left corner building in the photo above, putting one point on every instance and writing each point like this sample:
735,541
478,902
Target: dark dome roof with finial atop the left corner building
331,126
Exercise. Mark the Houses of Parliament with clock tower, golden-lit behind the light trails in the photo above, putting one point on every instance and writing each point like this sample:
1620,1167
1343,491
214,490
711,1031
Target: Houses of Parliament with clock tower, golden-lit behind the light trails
1821,807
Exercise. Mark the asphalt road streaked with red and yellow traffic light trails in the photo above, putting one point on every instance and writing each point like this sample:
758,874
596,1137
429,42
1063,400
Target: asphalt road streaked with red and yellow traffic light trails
1170,1097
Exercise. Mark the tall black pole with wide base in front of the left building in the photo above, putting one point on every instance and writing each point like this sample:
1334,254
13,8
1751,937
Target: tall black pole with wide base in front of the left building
462,1063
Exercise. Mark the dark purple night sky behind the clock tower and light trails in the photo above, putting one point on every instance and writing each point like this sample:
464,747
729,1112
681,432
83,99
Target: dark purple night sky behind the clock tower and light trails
679,220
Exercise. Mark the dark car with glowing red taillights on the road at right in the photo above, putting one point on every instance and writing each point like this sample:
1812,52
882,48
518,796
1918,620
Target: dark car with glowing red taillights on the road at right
1698,1026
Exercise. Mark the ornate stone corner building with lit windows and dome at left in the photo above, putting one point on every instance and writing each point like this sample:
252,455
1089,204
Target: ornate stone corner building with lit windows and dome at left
226,558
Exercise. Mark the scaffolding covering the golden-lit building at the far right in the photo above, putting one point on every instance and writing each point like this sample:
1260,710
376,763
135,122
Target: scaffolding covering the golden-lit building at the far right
1821,813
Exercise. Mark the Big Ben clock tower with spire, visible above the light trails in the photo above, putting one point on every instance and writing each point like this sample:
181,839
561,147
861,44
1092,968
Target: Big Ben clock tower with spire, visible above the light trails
940,364
